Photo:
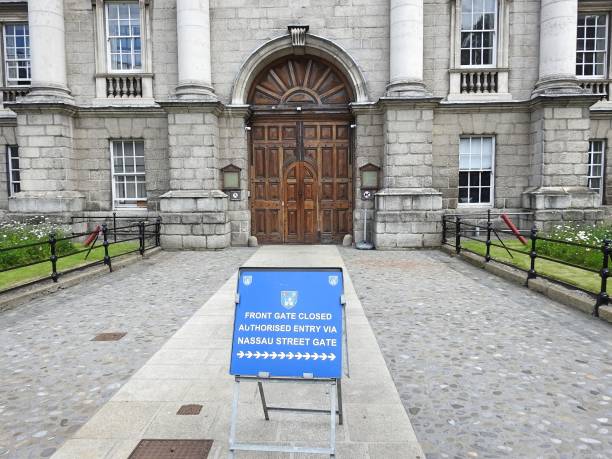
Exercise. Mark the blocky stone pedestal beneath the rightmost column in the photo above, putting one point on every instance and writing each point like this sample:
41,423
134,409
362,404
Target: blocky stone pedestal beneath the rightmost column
558,192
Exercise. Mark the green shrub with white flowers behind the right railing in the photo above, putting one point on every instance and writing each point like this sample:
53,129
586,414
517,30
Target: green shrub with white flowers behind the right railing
582,234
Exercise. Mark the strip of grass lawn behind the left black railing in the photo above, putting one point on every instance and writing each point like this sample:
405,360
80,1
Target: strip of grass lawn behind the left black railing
22,275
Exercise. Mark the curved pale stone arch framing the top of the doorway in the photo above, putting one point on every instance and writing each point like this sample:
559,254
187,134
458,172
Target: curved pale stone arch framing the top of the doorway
281,47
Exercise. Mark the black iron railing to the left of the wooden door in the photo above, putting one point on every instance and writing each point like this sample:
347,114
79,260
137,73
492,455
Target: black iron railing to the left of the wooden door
145,235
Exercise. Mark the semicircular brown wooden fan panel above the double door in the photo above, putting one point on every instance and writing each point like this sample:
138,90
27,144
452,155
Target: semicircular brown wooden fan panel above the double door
300,80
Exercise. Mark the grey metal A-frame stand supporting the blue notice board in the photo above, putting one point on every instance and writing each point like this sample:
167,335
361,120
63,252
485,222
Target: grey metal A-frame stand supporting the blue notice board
335,396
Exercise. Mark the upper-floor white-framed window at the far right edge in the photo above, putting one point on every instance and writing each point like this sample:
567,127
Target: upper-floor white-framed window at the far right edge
592,45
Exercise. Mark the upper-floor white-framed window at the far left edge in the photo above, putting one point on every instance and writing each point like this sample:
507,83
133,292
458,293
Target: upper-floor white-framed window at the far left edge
17,54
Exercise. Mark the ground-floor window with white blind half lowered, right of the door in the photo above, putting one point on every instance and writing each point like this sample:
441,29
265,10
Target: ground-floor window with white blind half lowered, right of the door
476,170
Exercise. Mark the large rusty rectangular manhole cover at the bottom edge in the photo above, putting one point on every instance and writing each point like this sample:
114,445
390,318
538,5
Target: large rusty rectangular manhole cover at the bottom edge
172,449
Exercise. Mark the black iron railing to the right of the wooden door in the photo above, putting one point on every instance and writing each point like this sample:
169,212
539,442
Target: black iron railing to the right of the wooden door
455,228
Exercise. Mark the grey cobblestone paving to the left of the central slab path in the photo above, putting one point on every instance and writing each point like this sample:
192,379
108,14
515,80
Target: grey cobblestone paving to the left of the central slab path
53,378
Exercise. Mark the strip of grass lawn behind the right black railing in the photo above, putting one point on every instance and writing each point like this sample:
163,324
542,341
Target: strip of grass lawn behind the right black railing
574,276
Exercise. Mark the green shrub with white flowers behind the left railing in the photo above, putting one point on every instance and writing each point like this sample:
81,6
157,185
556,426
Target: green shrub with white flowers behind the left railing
13,234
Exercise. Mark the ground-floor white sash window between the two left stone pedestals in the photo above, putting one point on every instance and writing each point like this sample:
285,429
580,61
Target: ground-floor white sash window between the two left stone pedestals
129,187
